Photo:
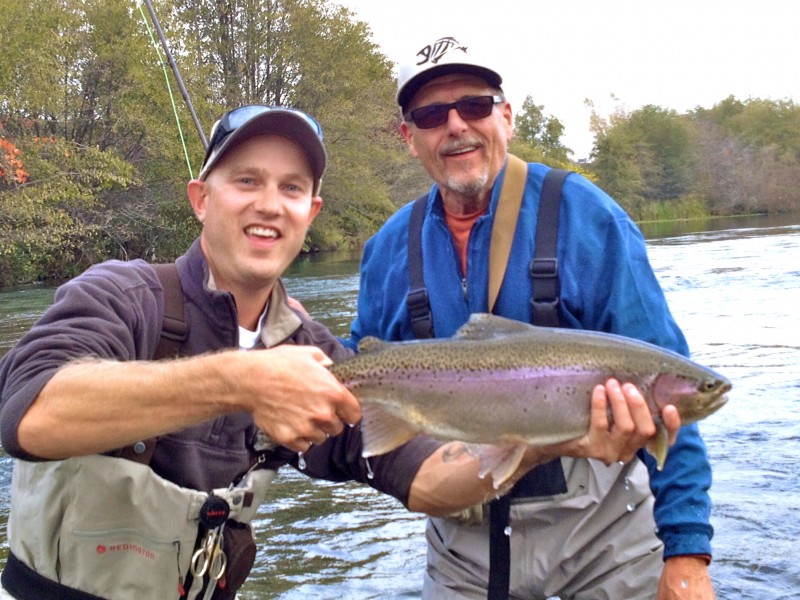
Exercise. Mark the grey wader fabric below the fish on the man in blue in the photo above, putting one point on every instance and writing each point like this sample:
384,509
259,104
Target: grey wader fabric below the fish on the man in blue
595,542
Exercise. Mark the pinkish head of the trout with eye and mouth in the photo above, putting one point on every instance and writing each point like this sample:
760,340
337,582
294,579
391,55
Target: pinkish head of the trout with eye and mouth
695,396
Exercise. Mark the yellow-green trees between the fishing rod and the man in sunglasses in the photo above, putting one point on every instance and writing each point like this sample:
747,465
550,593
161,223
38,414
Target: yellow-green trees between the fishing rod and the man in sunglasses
312,55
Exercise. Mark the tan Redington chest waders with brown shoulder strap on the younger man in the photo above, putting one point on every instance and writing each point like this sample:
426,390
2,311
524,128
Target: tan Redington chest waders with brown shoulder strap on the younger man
149,528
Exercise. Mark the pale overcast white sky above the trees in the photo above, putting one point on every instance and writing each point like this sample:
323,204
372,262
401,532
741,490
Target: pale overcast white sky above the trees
677,54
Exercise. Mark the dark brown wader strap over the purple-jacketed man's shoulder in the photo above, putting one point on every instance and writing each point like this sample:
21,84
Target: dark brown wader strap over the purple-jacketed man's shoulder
173,334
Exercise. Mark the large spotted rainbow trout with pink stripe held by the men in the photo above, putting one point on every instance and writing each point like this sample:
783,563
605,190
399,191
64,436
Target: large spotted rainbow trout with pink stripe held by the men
506,383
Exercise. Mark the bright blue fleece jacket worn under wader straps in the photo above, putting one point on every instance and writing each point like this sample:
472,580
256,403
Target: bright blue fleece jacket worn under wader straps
607,284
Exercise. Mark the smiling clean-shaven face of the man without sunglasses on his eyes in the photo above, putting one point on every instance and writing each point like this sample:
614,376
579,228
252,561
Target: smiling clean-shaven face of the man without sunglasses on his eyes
255,206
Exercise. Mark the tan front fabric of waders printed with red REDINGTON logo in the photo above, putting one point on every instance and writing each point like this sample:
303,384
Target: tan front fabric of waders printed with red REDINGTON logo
112,527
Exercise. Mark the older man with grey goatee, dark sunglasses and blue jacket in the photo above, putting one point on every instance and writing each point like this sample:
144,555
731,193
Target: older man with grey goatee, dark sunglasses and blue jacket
578,528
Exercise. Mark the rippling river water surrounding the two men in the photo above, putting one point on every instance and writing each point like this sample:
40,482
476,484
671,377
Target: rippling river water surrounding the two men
734,288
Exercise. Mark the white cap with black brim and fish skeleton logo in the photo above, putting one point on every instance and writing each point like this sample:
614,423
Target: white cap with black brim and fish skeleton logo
443,57
